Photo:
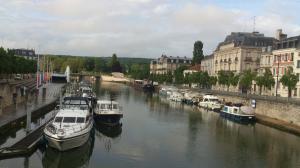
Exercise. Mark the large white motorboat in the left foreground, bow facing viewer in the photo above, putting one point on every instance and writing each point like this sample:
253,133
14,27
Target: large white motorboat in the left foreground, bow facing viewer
71,126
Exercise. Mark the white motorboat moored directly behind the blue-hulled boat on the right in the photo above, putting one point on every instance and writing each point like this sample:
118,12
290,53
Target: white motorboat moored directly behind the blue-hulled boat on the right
210,102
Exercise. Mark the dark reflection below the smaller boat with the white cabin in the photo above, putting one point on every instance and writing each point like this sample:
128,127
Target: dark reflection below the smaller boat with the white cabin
109,131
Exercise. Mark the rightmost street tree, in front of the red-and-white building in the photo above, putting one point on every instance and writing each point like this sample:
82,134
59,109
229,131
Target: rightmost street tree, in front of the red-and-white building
289,80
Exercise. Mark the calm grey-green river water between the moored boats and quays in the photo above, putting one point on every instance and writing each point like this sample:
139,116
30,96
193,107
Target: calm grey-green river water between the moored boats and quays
159,133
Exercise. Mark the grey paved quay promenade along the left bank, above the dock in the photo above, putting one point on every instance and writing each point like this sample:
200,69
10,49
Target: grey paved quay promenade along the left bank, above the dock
14,112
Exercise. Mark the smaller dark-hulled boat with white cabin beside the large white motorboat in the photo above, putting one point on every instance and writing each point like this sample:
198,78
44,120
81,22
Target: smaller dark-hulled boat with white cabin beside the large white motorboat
107,112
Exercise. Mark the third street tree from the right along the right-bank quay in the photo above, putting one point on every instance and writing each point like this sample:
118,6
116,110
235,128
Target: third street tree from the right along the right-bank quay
246,80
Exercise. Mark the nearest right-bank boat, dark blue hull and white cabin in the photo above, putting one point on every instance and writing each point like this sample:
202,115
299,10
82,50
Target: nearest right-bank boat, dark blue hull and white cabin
238,112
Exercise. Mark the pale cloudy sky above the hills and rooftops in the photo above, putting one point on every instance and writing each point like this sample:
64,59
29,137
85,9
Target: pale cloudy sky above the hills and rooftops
138,28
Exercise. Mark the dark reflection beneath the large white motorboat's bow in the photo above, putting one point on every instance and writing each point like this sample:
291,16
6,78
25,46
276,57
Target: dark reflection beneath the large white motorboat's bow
78,157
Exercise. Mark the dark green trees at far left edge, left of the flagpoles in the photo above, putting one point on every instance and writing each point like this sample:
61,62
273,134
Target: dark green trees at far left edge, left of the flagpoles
12,64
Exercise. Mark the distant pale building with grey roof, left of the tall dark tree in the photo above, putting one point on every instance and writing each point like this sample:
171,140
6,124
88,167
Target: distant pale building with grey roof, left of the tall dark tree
165,64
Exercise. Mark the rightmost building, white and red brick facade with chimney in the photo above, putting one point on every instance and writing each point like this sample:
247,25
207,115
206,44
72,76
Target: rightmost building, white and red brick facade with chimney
286,54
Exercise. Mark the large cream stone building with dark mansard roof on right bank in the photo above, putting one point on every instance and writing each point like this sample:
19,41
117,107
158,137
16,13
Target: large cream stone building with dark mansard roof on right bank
240,51
